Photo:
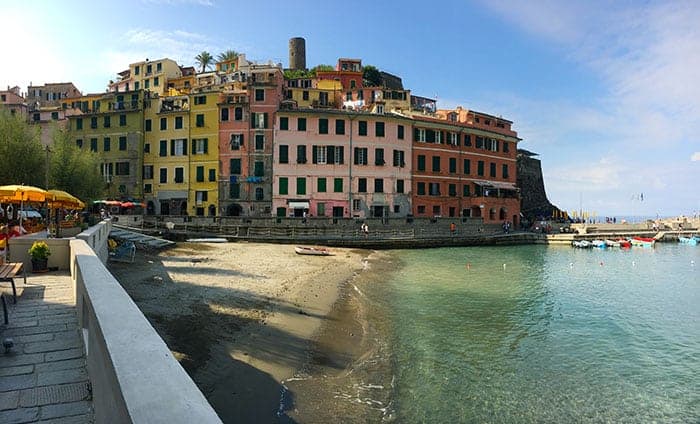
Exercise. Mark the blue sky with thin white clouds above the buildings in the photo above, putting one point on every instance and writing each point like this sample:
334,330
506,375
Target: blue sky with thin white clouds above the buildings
606,92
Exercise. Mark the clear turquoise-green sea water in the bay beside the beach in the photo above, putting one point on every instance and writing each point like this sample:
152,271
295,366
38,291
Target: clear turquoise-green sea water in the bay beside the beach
541,334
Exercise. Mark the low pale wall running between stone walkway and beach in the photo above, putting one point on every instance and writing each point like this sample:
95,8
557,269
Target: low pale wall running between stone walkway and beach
134,376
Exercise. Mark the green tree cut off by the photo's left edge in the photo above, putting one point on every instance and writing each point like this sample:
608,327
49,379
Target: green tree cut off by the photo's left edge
23,155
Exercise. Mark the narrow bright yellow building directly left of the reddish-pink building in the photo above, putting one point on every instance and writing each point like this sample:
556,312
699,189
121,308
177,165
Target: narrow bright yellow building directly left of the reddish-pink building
204,153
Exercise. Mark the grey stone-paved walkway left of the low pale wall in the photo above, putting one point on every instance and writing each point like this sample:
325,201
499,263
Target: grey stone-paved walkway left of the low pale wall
43,378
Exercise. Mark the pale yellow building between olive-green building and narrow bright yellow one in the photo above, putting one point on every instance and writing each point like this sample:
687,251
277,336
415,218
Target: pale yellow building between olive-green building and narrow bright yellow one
166,168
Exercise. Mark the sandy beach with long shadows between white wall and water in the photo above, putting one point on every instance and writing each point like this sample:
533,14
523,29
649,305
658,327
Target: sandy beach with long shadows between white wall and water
242,317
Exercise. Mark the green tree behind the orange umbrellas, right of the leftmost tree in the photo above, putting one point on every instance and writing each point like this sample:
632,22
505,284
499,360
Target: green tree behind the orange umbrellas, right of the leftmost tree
73,169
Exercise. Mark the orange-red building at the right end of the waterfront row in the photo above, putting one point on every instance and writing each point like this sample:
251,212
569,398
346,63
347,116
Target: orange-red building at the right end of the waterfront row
464,164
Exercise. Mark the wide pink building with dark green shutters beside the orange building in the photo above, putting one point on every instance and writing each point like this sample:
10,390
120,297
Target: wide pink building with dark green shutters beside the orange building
341,164
